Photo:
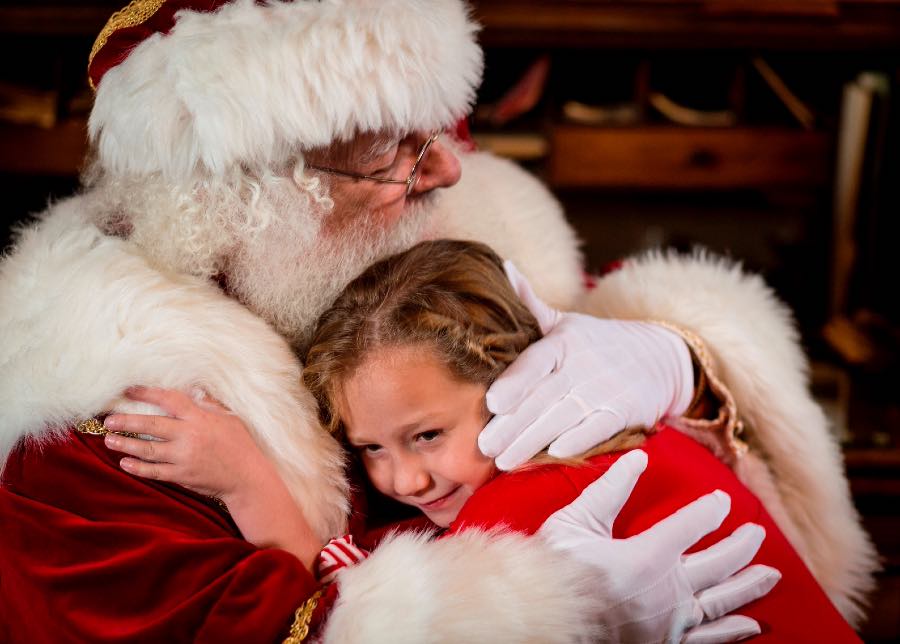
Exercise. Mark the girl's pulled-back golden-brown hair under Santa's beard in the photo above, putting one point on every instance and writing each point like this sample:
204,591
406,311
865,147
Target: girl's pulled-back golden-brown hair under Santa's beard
452,297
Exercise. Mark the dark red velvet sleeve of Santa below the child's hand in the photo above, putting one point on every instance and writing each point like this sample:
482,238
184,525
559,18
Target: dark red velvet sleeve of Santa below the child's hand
89,553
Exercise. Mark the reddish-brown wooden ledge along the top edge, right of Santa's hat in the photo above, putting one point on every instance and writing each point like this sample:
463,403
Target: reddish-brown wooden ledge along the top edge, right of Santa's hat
863,25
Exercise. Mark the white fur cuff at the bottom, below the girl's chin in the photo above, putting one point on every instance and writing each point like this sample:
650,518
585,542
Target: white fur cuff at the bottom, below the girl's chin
473,587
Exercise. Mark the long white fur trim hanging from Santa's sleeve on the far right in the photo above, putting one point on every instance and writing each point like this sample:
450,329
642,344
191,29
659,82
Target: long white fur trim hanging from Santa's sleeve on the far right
795,464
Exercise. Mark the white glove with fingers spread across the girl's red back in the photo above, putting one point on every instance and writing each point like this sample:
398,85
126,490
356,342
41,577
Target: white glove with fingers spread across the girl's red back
653,592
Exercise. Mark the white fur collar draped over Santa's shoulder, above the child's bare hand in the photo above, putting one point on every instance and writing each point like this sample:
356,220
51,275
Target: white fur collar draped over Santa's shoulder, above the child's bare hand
86,316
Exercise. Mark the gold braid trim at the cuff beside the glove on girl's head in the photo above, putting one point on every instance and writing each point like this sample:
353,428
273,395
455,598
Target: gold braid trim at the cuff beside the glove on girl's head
727,423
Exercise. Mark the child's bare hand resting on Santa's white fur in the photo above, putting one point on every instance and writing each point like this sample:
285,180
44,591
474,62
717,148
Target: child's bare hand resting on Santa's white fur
201,446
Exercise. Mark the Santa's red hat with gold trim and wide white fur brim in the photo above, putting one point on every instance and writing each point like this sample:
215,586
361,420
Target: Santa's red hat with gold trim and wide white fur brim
204,86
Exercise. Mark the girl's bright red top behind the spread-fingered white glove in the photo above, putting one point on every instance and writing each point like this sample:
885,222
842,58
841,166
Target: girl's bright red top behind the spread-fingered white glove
679,471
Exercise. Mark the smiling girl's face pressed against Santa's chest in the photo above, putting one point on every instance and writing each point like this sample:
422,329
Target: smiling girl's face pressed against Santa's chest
416,429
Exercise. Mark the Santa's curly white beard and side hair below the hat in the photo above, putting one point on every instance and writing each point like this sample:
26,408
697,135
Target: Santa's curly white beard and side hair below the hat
267,236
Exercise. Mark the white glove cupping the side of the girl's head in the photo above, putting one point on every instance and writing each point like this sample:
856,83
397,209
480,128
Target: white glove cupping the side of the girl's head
586,380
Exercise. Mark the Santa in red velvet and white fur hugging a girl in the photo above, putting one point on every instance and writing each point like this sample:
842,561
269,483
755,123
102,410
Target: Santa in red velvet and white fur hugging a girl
248,159
